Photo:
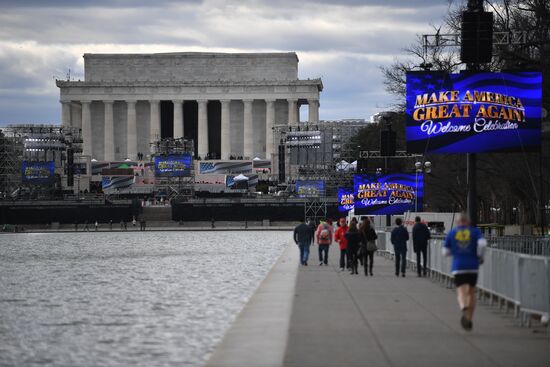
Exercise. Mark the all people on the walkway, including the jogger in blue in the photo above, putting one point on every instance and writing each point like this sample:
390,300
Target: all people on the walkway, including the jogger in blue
357,244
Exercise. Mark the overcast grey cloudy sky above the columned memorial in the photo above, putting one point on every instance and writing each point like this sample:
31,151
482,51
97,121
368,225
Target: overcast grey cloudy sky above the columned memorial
343,42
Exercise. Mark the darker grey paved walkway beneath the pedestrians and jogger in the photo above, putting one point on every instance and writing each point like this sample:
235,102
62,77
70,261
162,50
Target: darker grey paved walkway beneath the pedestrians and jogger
341,319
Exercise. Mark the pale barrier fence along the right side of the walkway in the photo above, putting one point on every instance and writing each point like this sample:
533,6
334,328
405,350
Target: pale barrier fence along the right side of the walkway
507,278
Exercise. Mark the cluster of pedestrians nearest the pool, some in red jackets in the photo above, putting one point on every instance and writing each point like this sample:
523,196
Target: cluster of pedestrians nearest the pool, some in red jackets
357,243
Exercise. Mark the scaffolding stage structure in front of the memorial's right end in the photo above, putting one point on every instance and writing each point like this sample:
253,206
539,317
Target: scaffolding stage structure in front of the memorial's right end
317,151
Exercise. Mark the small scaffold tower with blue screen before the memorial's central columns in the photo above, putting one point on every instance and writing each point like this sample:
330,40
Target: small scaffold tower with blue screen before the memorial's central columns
180,185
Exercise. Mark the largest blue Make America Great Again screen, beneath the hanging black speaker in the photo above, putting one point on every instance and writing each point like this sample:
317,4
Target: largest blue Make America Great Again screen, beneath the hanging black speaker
473,112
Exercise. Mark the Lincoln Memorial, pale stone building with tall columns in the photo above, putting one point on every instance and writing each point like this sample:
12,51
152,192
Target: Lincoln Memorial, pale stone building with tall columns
227,103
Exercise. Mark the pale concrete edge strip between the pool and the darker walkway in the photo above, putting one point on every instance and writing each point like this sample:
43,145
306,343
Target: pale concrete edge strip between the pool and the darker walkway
259,334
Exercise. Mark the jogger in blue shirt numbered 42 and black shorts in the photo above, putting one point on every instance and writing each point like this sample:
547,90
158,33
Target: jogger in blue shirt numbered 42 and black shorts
465,243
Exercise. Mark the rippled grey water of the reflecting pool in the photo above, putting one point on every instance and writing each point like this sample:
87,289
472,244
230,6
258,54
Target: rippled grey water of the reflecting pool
118,299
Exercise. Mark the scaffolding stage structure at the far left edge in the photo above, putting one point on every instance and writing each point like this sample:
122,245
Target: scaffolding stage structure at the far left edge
34,143
